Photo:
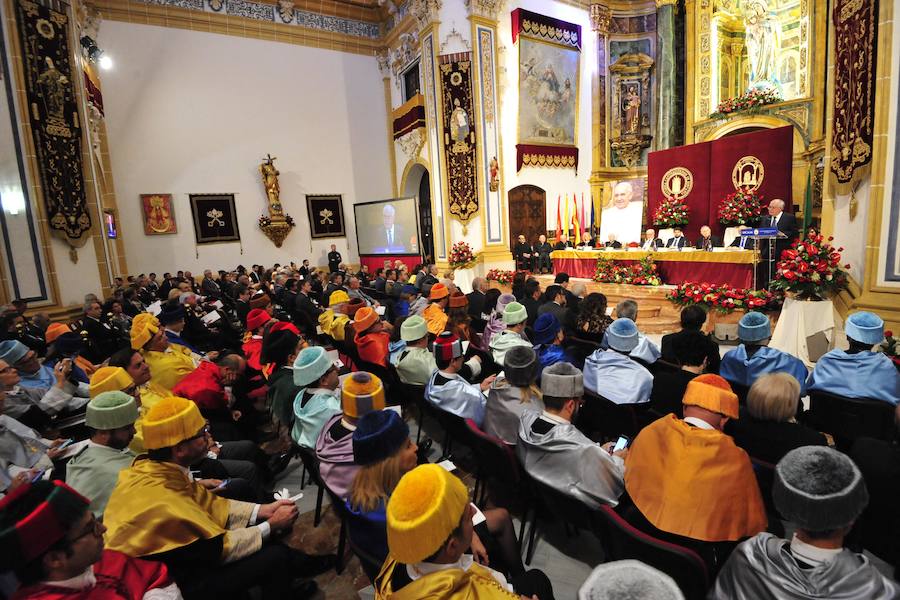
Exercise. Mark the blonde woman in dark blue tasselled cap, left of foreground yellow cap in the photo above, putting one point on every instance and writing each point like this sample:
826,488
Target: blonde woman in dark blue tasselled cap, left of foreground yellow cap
383,451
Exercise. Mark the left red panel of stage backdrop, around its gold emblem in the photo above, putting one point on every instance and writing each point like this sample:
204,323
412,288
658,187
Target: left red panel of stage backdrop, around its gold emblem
695,158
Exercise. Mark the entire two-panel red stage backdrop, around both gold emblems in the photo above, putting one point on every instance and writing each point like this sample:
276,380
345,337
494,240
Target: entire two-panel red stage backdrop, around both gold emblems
711,164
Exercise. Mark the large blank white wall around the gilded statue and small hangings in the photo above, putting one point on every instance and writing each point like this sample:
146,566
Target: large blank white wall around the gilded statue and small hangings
193,112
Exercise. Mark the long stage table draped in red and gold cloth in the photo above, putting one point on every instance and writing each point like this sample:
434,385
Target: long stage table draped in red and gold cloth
734,267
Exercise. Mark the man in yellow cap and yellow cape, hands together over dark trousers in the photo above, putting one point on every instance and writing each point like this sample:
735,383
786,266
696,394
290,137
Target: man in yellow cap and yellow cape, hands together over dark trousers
212,546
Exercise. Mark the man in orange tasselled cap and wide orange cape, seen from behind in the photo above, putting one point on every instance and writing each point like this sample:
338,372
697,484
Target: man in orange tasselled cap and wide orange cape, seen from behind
689,479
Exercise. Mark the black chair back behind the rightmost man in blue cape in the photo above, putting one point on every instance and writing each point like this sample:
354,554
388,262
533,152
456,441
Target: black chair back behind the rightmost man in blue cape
849,418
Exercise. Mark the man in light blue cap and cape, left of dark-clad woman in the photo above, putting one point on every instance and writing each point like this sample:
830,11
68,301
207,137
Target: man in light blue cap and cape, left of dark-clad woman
612,374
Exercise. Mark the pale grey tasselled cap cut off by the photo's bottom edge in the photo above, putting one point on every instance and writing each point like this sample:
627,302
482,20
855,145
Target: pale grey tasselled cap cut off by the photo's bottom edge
628,580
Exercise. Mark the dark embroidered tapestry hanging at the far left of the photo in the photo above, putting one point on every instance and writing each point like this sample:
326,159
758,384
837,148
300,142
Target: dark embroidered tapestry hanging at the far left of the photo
55,124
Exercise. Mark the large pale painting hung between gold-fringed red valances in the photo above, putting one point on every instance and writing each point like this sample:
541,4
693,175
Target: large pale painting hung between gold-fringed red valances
549,56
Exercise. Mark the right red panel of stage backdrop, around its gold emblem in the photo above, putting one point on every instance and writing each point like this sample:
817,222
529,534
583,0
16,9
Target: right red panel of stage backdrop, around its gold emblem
773,147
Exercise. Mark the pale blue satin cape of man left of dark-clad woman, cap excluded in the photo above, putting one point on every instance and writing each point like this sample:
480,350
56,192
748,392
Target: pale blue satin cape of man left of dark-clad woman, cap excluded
617,378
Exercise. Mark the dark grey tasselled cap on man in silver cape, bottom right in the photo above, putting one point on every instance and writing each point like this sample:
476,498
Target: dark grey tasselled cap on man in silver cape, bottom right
819,488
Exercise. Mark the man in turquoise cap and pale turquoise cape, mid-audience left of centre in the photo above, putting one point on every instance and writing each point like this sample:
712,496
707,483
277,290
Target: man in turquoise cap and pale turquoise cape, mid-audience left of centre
317,401
